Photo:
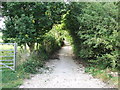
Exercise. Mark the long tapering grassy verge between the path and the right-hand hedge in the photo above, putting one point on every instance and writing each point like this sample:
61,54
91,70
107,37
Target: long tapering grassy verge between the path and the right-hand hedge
108,75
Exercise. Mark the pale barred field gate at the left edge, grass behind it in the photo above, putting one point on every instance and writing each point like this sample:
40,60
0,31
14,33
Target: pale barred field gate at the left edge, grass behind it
8,56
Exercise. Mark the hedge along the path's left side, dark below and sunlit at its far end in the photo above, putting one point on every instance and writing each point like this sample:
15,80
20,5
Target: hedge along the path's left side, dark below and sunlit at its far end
50,44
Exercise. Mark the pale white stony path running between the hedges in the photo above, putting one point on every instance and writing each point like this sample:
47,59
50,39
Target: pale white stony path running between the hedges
63,73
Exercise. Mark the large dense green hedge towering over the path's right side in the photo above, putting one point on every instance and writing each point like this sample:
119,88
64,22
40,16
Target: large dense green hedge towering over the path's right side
94,28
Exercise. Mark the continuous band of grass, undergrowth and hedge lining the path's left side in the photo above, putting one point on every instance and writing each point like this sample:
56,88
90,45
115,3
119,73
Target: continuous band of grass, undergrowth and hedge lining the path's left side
30,63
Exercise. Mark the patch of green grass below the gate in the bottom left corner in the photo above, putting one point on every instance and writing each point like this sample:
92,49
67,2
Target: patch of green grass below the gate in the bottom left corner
12,79
